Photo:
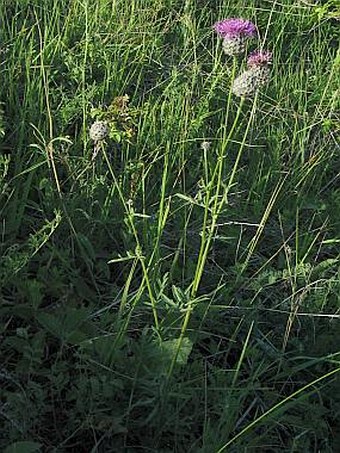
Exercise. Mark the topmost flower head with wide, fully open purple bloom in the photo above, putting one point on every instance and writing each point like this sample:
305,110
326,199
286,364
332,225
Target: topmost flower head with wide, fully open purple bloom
235,34
